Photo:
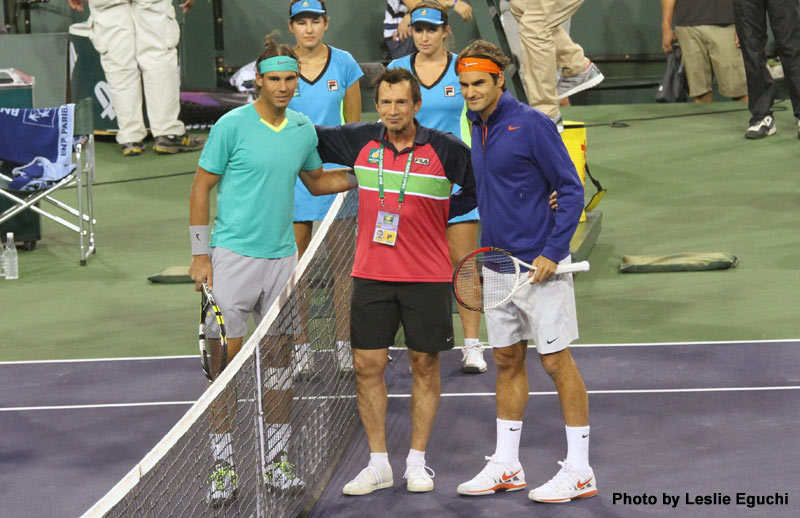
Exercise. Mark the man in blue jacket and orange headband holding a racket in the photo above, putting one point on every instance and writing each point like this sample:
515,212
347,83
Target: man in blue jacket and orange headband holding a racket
519,158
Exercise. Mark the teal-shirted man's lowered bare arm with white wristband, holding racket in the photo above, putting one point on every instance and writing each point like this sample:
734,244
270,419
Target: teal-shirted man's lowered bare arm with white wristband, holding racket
199,202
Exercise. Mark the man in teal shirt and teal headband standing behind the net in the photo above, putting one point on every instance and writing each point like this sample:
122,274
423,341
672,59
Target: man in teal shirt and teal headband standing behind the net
254,156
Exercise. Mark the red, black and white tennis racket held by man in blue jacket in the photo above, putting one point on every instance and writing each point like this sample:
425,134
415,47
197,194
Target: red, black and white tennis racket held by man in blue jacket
487,277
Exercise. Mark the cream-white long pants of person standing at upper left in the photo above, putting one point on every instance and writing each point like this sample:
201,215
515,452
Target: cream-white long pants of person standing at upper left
137,41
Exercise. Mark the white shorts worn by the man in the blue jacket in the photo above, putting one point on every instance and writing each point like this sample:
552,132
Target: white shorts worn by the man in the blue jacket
544,312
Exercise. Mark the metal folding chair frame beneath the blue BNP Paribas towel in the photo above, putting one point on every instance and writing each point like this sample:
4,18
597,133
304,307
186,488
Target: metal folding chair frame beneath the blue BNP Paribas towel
81,178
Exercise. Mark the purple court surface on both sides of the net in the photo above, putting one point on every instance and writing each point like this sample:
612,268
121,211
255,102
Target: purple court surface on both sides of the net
710,428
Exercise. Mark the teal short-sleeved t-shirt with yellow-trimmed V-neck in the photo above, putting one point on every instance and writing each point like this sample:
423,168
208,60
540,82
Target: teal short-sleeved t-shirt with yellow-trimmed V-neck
258,164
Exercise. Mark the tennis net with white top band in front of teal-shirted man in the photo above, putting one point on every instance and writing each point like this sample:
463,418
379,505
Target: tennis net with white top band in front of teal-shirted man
265,436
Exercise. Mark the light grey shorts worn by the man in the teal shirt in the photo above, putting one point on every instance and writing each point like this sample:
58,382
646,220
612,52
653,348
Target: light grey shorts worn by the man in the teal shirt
245,286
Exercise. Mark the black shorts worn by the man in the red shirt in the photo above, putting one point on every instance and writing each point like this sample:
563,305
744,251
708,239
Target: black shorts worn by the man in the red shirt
379,307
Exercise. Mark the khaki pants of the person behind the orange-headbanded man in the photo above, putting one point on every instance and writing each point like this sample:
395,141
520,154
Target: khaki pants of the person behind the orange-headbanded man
546,47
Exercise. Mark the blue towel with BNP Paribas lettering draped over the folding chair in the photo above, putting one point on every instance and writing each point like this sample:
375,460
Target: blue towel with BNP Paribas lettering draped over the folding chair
28,134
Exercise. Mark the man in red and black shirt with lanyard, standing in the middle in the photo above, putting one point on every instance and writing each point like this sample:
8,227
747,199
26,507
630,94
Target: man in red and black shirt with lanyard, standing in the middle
402,272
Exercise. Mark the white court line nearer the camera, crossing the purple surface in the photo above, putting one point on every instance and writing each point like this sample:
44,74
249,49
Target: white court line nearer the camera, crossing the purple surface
400,396
